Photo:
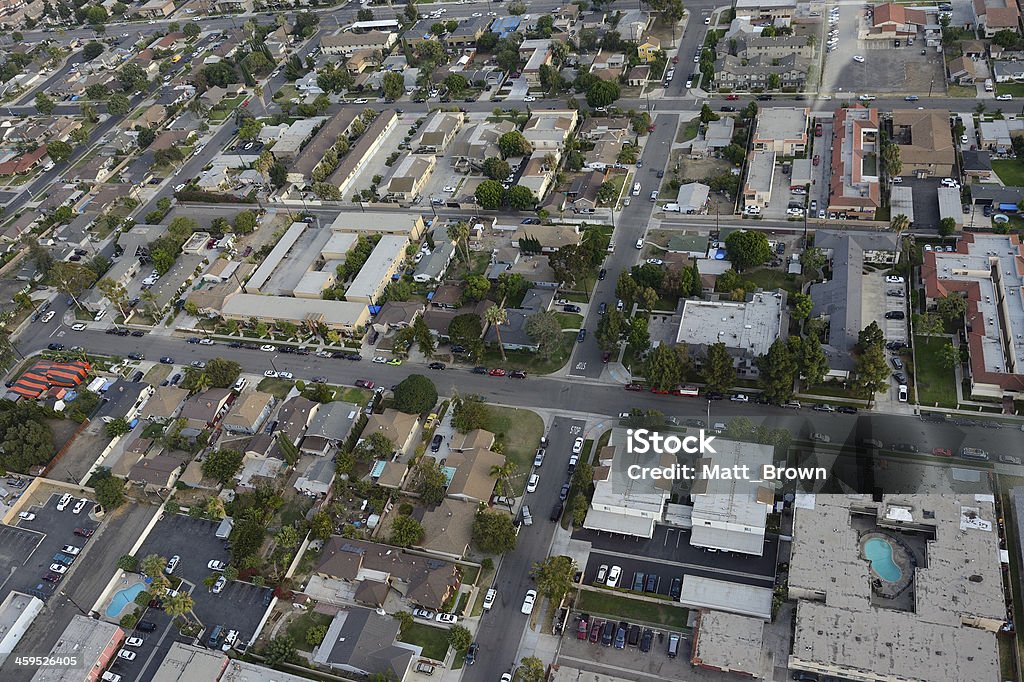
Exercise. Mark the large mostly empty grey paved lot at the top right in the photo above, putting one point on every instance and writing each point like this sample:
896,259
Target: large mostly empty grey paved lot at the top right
886,68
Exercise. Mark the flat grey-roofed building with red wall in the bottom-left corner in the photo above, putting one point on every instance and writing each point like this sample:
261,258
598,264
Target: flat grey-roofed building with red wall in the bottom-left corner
94,643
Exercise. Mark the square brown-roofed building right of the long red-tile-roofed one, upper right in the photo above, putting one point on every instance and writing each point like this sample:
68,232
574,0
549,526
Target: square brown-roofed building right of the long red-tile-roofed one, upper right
926,145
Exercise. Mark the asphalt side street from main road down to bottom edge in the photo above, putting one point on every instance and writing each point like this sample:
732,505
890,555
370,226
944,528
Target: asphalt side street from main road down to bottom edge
501,627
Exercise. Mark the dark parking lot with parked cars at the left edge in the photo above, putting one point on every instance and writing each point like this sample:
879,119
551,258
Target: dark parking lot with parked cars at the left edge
27,550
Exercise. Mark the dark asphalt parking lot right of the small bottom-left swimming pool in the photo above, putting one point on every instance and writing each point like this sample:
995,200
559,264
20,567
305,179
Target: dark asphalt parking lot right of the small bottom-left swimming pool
240,607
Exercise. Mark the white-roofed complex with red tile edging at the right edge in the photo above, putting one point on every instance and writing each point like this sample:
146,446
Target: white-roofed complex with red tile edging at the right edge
986,270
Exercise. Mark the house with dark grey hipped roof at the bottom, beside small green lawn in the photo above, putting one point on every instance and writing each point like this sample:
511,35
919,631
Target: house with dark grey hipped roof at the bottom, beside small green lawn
362,643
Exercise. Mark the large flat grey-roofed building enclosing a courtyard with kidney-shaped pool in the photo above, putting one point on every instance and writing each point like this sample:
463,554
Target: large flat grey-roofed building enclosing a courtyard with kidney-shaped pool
929,613
